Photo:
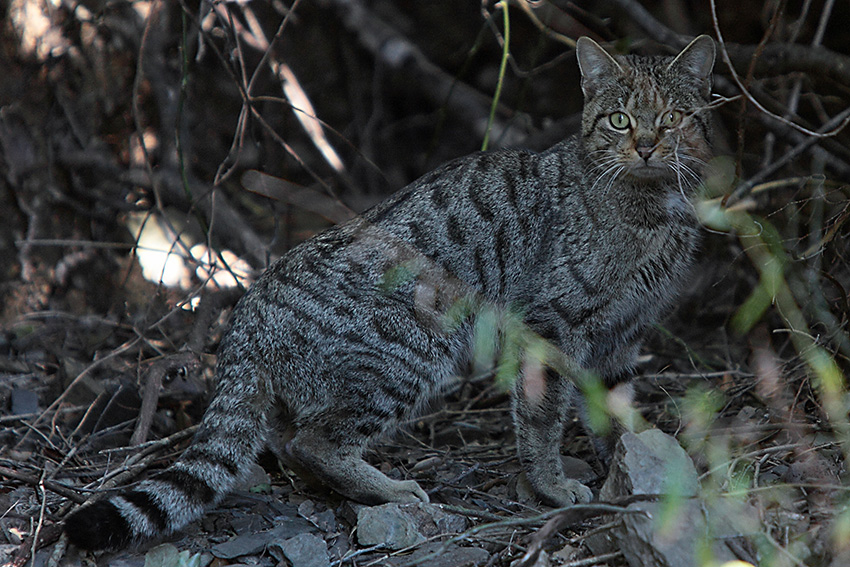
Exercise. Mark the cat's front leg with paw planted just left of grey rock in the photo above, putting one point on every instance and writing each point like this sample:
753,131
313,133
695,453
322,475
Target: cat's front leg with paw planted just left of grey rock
542,405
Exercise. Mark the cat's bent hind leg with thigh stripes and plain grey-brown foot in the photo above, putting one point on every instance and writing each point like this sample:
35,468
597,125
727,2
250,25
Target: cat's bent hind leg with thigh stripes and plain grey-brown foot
367,393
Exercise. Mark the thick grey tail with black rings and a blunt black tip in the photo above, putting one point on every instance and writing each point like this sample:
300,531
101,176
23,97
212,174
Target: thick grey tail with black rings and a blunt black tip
227,442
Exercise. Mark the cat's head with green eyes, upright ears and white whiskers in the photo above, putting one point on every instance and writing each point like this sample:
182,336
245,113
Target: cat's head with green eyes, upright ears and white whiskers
646,118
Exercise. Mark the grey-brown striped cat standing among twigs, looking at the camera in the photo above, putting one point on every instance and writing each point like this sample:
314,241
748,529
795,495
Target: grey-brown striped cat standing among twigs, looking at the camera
348,334
